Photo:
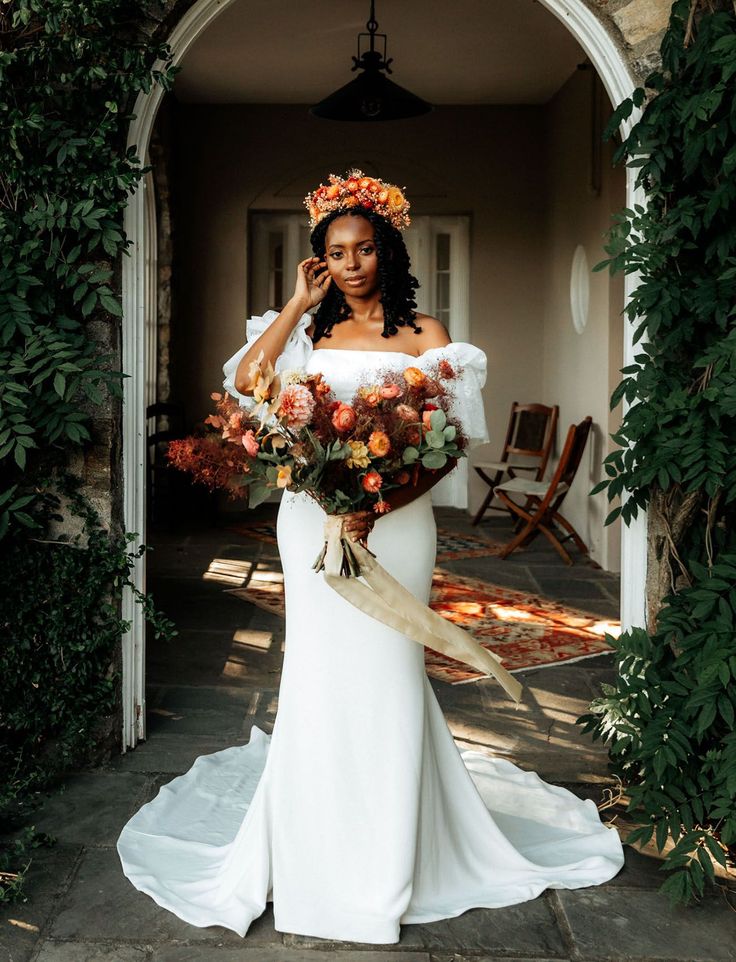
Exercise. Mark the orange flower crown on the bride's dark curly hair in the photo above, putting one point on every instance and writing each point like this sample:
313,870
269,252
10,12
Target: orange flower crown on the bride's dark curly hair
357,190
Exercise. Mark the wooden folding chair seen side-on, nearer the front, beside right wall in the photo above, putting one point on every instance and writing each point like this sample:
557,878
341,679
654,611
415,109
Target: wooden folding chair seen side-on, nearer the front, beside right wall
541,512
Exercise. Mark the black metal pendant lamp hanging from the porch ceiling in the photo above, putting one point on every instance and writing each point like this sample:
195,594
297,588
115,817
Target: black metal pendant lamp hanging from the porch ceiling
371,96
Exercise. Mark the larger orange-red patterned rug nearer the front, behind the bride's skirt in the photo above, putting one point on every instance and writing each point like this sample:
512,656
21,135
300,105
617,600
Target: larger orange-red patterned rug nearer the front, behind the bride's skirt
525,630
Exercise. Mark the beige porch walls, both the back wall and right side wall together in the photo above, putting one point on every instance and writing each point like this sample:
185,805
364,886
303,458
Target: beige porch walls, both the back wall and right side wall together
521,173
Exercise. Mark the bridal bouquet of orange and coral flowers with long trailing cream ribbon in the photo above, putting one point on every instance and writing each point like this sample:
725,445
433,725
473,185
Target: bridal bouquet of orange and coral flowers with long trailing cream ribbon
300,437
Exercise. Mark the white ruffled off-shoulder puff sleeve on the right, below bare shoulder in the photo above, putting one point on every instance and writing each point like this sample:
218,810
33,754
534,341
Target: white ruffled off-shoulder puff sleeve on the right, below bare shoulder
467,403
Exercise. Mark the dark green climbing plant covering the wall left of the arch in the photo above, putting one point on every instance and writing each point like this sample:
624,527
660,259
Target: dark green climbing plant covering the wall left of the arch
70,71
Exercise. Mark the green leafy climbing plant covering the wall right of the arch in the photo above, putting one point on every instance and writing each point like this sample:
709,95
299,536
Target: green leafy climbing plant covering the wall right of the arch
670,716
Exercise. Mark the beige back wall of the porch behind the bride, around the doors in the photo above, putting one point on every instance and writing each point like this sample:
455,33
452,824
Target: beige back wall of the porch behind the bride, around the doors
457,160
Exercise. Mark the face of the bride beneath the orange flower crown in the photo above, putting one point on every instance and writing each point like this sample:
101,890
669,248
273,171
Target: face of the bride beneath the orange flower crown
351,255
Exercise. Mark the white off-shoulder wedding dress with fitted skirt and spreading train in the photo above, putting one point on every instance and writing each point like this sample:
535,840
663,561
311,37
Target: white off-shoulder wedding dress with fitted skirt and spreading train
358,813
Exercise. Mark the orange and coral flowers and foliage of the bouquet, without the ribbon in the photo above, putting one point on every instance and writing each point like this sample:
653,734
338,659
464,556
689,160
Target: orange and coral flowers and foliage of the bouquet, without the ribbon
298,436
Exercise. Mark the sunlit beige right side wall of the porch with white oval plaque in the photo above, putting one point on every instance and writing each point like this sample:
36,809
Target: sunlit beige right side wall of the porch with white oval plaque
582,369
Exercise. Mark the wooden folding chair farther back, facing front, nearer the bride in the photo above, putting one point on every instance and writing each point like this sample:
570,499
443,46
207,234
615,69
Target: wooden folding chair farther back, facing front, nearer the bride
530,433
